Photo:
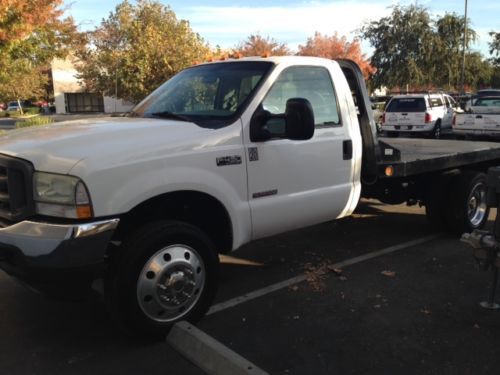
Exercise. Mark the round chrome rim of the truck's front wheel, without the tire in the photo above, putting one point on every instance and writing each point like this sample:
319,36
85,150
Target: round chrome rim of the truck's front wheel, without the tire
170,283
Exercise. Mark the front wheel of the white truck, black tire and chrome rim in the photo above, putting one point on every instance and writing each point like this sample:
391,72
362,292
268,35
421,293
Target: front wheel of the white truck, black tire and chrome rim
166,272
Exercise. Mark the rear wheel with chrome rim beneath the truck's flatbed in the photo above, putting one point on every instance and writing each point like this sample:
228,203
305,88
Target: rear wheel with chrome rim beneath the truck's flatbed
466,207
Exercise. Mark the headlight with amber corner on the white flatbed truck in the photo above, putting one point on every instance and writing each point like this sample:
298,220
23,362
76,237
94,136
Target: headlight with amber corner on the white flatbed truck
61,196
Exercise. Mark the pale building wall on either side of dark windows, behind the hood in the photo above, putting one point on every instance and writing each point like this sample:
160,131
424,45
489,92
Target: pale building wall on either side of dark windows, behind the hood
64,79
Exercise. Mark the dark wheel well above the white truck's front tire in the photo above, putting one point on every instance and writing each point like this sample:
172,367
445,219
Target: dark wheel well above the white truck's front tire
198,209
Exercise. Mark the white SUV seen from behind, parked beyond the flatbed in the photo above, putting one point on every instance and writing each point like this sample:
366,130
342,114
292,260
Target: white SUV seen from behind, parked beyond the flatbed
422,114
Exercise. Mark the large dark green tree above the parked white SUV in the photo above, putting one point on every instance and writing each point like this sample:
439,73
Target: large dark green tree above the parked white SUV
413,50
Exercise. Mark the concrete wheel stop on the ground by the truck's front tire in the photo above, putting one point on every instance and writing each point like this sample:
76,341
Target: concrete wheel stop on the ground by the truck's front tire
207,353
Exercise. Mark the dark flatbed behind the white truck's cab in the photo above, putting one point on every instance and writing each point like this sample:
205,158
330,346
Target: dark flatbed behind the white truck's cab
417,156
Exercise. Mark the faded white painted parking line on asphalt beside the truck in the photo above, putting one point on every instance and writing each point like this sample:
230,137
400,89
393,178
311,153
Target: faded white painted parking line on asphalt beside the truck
298,279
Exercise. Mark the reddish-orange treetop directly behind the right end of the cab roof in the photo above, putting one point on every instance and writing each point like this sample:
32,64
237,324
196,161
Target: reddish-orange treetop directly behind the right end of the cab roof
335,47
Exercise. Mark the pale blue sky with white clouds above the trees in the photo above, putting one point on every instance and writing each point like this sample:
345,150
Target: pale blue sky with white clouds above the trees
226,23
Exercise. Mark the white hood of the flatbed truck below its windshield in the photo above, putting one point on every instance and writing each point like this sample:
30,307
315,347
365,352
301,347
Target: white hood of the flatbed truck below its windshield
59,147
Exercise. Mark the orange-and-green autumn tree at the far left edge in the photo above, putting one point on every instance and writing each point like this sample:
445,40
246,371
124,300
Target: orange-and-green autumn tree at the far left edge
32,33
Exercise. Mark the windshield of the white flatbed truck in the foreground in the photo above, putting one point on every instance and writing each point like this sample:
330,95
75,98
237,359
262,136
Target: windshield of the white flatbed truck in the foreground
208,95
